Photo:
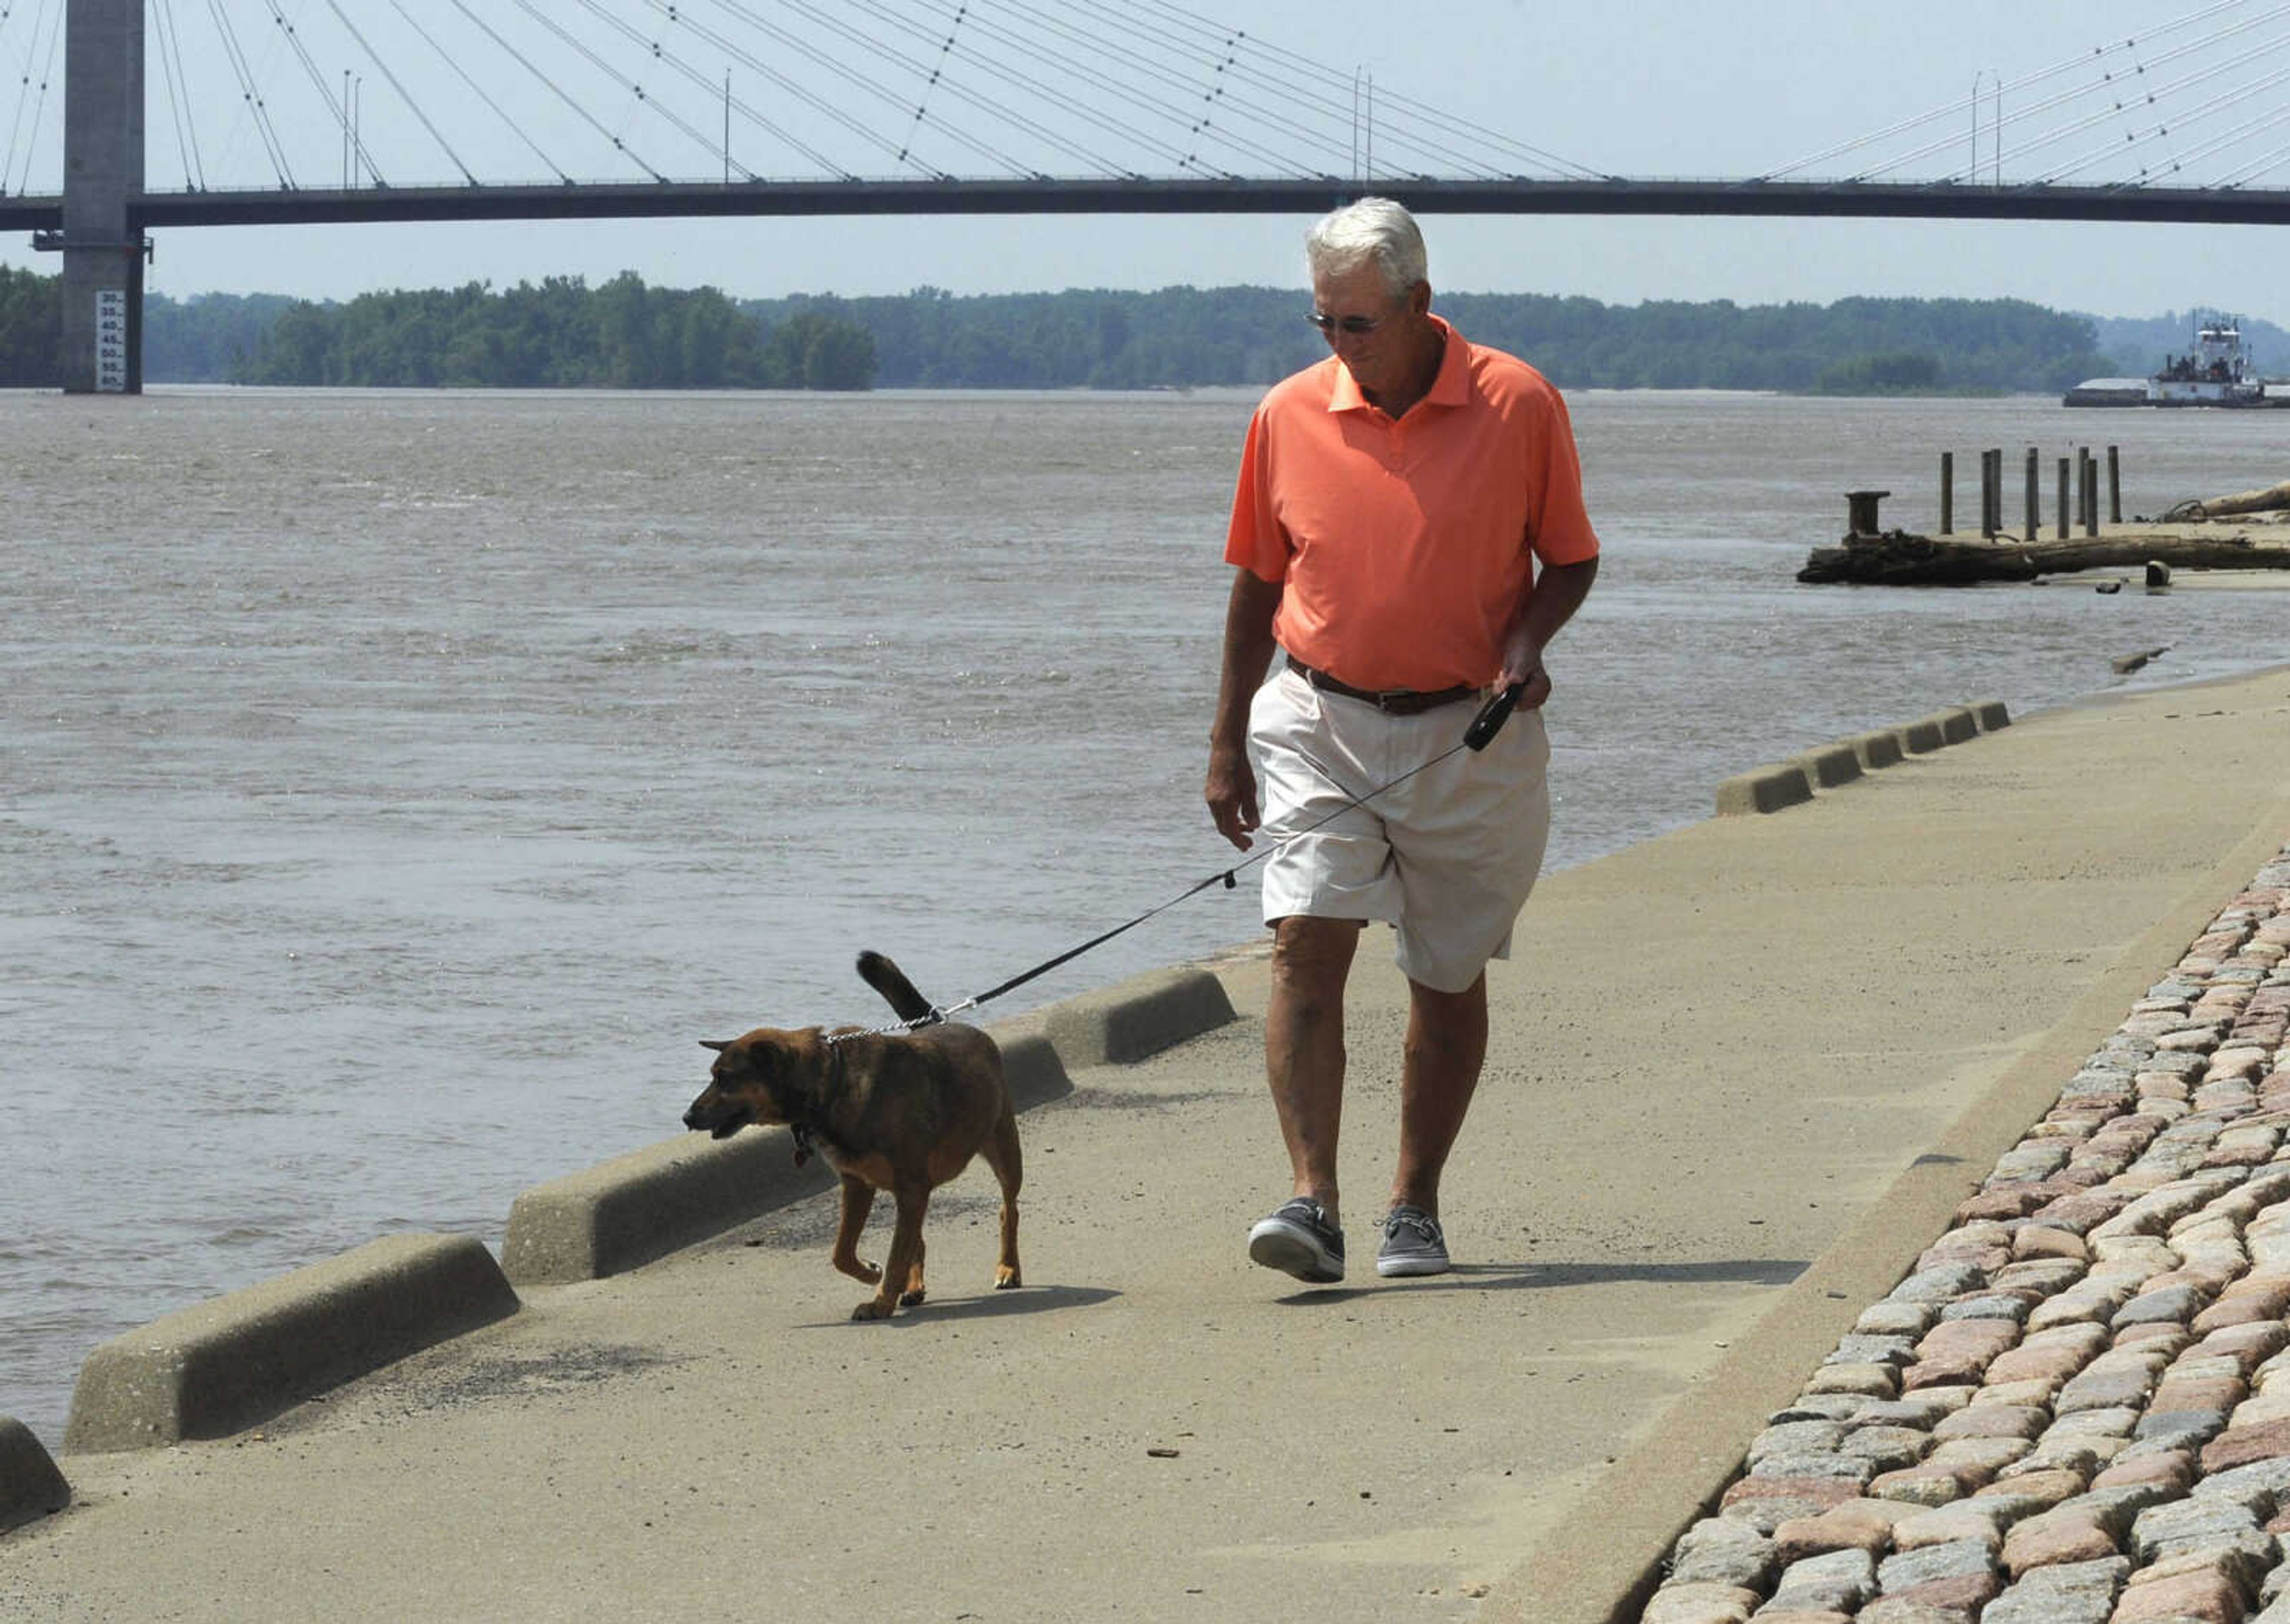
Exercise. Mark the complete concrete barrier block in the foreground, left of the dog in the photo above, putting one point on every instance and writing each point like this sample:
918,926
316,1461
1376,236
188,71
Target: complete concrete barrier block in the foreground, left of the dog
239,1359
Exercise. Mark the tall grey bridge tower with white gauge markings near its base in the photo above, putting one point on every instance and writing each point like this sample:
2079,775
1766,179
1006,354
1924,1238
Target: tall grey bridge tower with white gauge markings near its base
104,178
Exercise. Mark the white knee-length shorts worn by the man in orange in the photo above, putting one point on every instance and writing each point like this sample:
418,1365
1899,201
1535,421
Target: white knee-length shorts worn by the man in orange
1448,858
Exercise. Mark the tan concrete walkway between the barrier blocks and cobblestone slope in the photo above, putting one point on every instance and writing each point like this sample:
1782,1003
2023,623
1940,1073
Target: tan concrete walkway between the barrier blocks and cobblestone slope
1739,1080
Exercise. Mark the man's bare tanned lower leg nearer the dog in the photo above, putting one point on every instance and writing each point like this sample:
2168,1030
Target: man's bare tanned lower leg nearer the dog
1304,1046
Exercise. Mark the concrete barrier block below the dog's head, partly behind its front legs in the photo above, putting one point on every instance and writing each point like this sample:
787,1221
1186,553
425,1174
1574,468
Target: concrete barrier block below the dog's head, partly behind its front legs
654,1201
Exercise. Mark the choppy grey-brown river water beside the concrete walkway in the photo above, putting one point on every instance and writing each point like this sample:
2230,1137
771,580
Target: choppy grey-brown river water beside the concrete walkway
395,787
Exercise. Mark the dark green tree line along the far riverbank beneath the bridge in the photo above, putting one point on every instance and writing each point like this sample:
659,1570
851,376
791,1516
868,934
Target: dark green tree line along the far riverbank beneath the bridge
626,336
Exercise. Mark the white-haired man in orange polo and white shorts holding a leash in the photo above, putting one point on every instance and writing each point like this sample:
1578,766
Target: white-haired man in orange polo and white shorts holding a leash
1391,510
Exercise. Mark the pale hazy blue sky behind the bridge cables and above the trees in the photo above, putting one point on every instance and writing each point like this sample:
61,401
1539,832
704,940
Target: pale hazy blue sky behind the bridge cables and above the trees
1641,88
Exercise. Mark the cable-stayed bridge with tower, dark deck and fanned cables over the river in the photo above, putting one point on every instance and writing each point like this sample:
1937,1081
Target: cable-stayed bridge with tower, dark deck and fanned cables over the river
141,116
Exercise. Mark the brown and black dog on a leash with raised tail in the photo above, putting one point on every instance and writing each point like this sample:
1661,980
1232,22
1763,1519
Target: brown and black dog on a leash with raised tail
892,1112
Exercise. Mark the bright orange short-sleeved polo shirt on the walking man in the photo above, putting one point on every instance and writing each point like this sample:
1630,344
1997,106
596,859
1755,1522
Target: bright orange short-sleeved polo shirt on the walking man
1405,546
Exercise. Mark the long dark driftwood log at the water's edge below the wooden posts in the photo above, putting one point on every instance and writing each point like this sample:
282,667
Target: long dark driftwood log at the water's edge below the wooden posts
1904,560
